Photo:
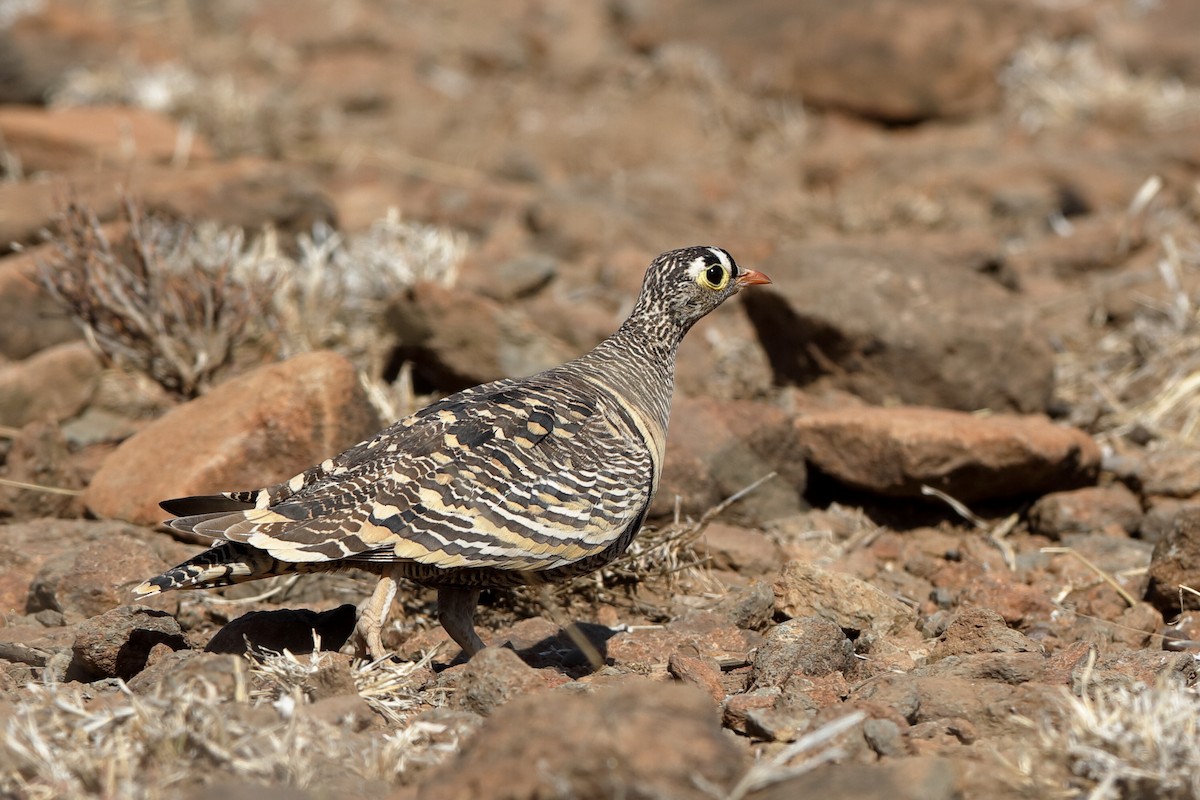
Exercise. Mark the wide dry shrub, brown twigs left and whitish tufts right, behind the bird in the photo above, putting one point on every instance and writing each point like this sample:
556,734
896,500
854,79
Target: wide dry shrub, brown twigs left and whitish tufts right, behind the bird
179,302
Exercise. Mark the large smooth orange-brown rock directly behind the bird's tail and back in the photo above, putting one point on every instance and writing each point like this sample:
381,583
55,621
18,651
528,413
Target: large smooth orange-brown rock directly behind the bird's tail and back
249,432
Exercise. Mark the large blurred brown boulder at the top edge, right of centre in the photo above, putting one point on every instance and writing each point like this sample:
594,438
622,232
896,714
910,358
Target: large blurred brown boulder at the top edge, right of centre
886,62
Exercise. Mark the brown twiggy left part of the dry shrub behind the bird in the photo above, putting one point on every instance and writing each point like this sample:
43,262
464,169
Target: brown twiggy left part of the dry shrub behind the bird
169,302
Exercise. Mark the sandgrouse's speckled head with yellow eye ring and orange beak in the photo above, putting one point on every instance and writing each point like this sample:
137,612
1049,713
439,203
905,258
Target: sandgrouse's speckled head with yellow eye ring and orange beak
682,286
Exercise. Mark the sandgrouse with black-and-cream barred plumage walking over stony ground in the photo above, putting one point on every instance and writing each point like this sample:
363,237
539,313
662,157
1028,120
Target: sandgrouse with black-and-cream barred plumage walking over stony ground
508,484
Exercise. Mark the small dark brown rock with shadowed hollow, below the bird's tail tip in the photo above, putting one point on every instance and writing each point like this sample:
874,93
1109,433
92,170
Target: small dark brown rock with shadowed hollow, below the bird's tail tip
119,643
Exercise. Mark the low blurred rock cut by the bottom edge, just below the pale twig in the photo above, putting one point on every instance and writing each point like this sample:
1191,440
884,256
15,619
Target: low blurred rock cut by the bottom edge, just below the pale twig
920,778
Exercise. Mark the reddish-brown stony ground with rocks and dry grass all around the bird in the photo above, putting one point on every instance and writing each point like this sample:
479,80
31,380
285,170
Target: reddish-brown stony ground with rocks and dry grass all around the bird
929,525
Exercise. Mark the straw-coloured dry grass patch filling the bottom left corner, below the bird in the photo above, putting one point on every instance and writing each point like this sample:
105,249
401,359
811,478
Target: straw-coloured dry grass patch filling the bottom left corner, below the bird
63,743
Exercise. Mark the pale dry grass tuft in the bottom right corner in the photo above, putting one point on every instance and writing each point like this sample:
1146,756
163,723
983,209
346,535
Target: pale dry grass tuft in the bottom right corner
1130,742
